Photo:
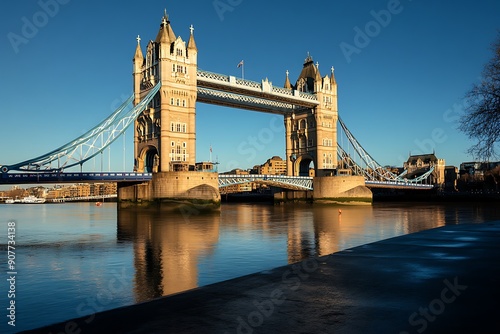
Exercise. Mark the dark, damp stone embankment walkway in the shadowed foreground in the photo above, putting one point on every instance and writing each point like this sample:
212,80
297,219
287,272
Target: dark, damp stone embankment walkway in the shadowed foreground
445,280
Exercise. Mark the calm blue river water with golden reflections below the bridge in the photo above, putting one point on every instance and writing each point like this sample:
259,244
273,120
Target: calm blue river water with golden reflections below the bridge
75,259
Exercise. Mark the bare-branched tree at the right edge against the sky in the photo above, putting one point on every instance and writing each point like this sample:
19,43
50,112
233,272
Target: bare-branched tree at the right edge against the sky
481,121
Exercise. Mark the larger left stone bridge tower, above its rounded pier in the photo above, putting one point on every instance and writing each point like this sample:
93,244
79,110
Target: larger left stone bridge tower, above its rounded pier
165,135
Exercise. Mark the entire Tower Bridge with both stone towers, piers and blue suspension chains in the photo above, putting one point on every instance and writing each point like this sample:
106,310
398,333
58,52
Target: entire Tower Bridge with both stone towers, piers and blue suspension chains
167,84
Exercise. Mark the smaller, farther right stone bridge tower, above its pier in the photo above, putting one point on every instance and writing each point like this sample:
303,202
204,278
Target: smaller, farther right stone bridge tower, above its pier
311,134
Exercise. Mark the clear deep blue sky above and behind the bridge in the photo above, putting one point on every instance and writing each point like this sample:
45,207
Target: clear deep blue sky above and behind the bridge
400,88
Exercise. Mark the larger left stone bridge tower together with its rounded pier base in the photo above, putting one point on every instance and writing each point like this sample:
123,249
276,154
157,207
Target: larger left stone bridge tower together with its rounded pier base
165,132
